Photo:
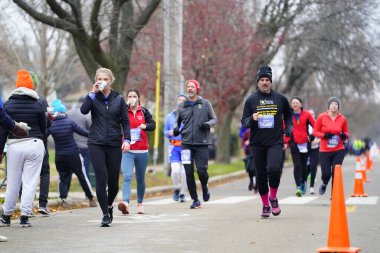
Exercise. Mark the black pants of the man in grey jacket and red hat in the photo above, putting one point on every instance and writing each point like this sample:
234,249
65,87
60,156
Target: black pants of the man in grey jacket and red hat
199,156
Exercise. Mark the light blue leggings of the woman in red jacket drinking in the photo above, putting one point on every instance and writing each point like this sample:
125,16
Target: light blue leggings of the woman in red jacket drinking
140,162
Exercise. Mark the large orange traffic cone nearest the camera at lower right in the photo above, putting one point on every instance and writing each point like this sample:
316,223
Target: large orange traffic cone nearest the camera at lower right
338,240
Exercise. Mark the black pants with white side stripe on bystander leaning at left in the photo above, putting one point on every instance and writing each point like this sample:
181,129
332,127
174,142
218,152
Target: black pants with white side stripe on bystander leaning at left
66,166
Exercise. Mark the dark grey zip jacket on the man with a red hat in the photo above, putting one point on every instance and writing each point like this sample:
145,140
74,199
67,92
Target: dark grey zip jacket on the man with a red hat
193,117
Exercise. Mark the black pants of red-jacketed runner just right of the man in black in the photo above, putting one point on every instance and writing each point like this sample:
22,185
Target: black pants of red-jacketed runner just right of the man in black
299,163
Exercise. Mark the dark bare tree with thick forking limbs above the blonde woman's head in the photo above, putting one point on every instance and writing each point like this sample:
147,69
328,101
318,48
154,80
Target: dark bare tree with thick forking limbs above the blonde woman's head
120,19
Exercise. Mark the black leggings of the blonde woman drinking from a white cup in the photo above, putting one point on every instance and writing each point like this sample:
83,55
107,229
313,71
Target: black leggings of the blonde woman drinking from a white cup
106,161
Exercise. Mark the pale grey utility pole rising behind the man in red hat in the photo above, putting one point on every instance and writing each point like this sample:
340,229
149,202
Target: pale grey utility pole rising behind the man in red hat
173,78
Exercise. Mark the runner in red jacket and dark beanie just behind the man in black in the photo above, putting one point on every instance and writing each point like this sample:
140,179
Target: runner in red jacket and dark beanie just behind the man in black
299,143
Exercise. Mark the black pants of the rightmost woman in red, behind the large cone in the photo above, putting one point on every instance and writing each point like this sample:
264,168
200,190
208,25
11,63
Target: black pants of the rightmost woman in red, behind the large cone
328,161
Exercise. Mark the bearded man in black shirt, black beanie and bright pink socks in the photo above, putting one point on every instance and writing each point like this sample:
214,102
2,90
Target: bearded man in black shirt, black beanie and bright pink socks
265,113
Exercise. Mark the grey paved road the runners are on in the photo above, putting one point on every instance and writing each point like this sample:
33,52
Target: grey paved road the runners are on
228,223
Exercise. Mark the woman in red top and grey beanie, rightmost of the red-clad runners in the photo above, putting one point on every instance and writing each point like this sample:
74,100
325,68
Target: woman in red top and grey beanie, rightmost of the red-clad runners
332,128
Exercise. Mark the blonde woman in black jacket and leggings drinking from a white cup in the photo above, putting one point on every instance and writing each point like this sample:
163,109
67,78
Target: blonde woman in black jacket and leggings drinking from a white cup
109,116
